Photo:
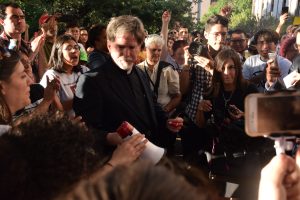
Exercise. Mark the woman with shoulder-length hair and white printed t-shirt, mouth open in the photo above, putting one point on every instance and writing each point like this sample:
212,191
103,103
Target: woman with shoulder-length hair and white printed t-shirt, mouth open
64,65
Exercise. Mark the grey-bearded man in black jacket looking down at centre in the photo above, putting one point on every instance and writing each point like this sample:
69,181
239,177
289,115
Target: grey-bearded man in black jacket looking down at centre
119,91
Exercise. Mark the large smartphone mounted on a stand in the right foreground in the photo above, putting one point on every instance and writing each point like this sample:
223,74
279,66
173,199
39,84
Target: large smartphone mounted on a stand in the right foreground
271,114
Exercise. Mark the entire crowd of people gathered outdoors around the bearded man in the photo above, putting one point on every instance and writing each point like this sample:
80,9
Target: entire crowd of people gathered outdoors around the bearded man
64,97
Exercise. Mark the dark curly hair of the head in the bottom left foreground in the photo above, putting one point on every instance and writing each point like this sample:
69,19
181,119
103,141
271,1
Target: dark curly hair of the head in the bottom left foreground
50,154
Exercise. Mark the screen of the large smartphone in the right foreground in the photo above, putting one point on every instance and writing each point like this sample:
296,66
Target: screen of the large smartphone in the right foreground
277,114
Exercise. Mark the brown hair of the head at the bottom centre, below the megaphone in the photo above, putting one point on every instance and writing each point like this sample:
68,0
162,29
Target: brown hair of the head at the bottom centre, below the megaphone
139,181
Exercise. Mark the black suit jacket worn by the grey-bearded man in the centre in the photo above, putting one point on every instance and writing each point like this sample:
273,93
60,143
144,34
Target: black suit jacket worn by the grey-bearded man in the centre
104,101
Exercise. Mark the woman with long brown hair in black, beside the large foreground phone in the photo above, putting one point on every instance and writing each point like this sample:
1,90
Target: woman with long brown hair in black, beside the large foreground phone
236,156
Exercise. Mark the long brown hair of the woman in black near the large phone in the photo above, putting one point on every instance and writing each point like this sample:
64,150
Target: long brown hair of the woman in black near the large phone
217,83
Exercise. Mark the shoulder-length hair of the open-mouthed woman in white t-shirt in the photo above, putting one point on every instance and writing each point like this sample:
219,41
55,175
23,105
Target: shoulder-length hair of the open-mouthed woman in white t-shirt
56,60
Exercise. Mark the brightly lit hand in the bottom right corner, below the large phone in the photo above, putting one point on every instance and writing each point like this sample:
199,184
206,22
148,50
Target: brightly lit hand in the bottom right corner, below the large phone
280,179
